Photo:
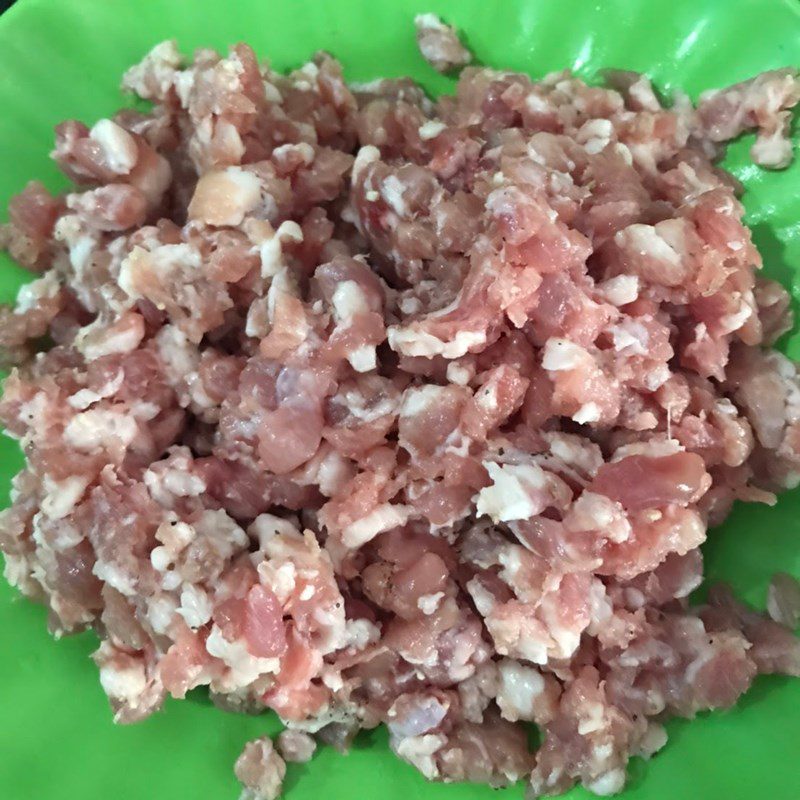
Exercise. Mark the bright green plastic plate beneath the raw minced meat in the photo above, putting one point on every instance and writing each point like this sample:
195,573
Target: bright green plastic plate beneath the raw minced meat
64,58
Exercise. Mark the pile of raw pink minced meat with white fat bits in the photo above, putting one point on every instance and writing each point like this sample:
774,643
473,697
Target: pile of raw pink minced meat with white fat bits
371,409
